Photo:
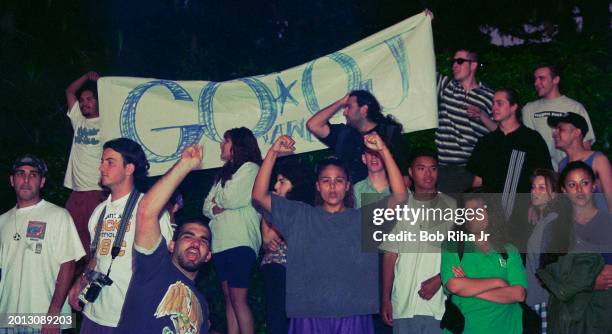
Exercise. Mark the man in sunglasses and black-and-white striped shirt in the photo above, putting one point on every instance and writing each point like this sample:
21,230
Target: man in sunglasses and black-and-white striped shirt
464,116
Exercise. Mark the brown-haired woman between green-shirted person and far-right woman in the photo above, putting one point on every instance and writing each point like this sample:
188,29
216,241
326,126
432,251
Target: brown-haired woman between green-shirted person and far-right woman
545,208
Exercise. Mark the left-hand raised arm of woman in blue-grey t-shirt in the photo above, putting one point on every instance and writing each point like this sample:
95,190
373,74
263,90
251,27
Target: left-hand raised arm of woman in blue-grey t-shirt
260,194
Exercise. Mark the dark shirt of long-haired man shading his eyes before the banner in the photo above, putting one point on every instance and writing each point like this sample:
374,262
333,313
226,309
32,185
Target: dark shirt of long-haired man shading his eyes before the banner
348,145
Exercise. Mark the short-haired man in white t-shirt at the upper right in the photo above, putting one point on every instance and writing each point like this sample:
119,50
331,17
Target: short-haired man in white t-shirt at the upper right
546,80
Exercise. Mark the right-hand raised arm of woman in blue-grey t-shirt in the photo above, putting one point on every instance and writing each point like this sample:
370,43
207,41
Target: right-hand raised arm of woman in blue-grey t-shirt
396,182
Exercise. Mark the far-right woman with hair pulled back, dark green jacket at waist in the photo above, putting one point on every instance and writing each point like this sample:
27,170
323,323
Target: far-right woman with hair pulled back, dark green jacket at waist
578,272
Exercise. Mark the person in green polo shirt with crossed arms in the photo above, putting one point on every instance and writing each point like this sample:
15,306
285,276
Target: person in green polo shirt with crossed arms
485,277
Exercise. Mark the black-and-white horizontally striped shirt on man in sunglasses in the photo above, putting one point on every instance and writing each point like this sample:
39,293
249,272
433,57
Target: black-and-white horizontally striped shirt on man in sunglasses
457,133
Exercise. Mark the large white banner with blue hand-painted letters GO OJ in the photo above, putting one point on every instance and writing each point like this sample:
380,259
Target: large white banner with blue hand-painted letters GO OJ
397,65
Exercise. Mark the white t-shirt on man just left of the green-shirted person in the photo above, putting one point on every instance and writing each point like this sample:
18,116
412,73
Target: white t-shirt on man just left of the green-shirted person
417,262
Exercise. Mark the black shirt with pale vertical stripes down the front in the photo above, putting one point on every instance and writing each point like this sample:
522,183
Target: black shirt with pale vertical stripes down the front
518,153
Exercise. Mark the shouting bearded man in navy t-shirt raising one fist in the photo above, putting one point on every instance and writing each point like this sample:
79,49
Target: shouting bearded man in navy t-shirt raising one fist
163,294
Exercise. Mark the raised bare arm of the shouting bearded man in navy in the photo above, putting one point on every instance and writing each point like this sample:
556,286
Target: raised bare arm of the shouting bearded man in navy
150,207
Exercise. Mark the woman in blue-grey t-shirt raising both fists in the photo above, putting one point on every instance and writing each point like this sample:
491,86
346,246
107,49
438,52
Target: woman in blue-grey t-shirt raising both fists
332,286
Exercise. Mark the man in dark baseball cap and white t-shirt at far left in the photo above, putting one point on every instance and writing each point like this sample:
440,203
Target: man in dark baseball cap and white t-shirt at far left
38,248
